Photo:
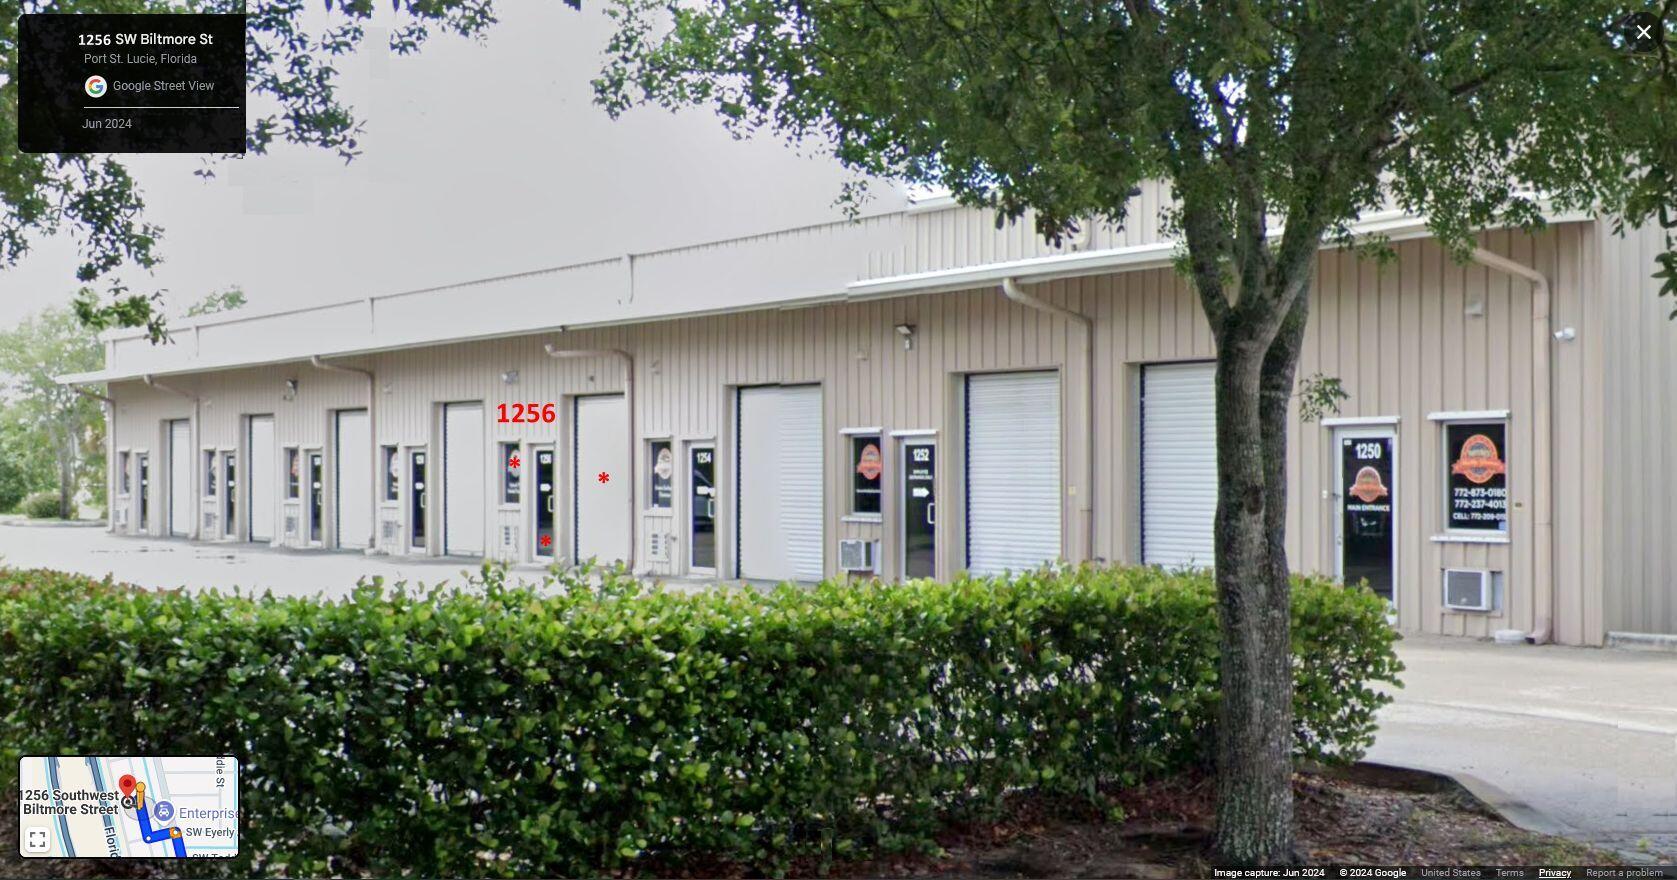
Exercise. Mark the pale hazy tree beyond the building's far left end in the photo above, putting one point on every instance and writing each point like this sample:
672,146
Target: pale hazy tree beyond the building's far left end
56,417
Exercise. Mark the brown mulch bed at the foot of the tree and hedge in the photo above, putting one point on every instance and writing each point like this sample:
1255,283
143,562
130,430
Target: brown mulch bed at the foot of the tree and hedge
1361,817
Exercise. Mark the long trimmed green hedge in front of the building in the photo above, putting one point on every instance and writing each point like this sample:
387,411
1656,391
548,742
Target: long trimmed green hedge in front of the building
581,732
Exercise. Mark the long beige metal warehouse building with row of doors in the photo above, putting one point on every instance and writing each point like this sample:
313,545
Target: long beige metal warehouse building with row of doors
922,393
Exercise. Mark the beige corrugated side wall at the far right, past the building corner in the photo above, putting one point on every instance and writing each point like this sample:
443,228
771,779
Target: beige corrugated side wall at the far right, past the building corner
1639,438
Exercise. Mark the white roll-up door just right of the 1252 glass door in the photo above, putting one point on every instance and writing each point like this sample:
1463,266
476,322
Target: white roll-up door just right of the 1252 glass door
1012,472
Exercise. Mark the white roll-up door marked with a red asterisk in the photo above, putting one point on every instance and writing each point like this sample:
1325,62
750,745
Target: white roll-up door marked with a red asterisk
601,448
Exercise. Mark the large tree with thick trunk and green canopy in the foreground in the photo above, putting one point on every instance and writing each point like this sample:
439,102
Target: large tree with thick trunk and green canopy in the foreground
1264,116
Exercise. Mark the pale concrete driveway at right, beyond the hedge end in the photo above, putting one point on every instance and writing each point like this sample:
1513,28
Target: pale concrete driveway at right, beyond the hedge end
1587,737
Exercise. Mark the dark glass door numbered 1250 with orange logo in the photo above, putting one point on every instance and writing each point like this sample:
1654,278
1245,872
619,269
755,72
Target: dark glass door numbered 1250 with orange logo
1368,502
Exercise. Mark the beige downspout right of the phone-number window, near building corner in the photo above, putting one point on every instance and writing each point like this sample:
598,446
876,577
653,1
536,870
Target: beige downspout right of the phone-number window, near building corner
1542,453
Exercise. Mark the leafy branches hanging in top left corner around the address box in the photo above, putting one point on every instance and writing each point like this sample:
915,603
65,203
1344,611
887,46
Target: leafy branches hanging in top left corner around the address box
293,80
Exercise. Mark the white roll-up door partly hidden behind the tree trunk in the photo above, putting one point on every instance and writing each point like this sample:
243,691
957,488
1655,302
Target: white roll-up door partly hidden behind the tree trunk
1180,463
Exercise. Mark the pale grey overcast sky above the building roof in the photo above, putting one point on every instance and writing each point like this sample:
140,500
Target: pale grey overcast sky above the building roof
479,160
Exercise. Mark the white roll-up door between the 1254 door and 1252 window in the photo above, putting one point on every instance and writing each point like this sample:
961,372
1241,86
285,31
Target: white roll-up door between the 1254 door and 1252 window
781,502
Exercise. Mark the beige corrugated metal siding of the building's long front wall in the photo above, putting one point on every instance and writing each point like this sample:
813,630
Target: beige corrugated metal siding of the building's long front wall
1399,339
